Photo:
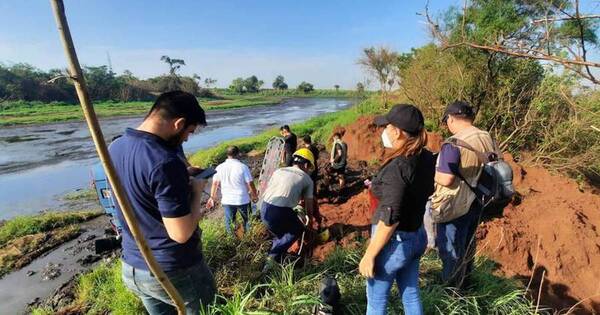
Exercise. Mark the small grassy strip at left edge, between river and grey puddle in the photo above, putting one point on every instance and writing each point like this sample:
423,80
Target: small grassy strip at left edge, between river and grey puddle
26,225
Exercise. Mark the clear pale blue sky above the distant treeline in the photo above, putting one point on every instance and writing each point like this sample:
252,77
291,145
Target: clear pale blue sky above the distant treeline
310,40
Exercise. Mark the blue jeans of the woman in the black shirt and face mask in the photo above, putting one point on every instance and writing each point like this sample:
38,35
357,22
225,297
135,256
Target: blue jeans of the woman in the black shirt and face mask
397,261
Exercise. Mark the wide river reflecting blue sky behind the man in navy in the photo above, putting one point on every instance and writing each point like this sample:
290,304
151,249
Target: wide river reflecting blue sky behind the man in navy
39,163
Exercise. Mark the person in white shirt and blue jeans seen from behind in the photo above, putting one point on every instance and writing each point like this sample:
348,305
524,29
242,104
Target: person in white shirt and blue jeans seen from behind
237,189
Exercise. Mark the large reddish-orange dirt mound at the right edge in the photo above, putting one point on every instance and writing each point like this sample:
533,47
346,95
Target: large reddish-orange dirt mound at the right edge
552,234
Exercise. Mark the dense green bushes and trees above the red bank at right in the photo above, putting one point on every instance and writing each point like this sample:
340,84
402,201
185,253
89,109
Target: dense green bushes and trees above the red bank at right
541,109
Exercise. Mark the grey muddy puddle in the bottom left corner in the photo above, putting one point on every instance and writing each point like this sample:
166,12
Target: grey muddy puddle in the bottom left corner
17,289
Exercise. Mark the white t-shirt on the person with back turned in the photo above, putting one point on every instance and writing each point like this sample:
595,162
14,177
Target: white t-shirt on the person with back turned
234,177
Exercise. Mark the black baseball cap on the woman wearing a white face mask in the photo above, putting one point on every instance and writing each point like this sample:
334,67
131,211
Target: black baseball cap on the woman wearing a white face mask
404,116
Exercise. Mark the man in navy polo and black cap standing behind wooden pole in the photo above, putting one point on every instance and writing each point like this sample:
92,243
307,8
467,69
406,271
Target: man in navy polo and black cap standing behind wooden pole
166,204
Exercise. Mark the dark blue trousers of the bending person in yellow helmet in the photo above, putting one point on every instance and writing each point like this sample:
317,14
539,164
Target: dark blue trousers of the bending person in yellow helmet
285,226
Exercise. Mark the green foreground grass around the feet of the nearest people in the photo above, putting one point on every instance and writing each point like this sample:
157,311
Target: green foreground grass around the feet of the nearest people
294,290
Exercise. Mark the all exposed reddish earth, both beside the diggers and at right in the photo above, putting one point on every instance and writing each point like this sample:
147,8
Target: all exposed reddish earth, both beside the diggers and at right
549,237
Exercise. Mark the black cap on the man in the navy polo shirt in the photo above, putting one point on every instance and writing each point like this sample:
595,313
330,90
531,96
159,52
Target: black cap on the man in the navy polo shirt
179,104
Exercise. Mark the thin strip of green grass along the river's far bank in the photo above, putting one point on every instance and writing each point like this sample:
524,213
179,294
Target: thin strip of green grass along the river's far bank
26,113
